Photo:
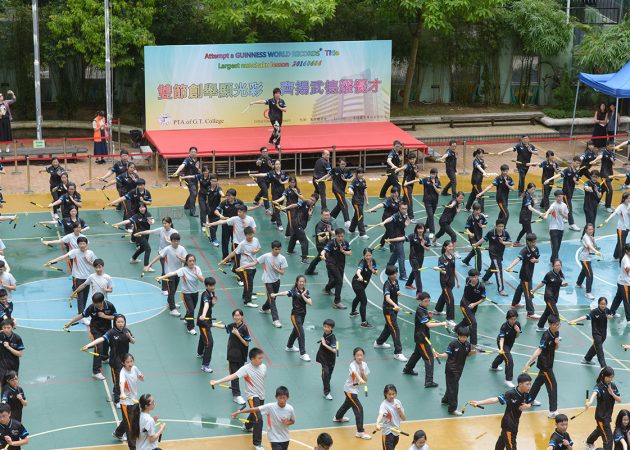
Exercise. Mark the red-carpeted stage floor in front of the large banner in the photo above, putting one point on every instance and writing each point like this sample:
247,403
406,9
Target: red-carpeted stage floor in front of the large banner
295,139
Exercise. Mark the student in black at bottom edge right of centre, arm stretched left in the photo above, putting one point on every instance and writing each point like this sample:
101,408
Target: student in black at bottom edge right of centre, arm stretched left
516,401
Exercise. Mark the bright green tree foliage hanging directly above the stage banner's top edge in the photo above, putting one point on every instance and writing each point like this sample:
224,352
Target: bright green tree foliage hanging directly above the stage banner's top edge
280,20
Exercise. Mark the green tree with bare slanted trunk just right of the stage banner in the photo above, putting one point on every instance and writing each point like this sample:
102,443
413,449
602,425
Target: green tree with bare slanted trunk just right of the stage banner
435,15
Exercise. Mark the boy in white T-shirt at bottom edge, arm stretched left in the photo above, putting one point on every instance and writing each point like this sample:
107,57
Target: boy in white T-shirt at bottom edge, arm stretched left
281,416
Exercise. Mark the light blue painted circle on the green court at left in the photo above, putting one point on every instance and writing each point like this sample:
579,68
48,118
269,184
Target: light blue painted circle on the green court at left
44,304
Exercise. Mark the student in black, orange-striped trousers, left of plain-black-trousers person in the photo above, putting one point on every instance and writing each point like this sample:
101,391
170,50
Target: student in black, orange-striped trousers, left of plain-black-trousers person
421,336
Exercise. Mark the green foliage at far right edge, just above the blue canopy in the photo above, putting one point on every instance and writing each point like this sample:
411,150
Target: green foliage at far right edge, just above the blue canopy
605,49
